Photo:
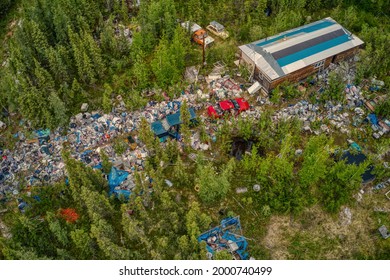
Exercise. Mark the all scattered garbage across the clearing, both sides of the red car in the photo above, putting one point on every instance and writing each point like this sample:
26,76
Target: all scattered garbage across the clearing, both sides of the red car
37,159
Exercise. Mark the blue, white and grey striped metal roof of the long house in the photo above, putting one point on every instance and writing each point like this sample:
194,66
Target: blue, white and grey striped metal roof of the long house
297,48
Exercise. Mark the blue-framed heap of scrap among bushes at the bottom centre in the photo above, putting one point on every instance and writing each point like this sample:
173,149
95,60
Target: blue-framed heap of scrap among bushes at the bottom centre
226,236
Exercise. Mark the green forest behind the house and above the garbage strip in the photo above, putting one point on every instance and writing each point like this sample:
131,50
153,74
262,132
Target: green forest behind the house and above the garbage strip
62,53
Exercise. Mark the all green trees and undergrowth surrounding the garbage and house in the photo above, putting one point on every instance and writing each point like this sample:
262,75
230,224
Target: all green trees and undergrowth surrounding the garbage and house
58,54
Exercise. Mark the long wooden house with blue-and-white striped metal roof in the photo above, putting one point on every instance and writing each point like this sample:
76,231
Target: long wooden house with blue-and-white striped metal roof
297,53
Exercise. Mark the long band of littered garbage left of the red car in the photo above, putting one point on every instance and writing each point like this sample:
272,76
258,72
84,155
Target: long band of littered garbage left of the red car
38,160
